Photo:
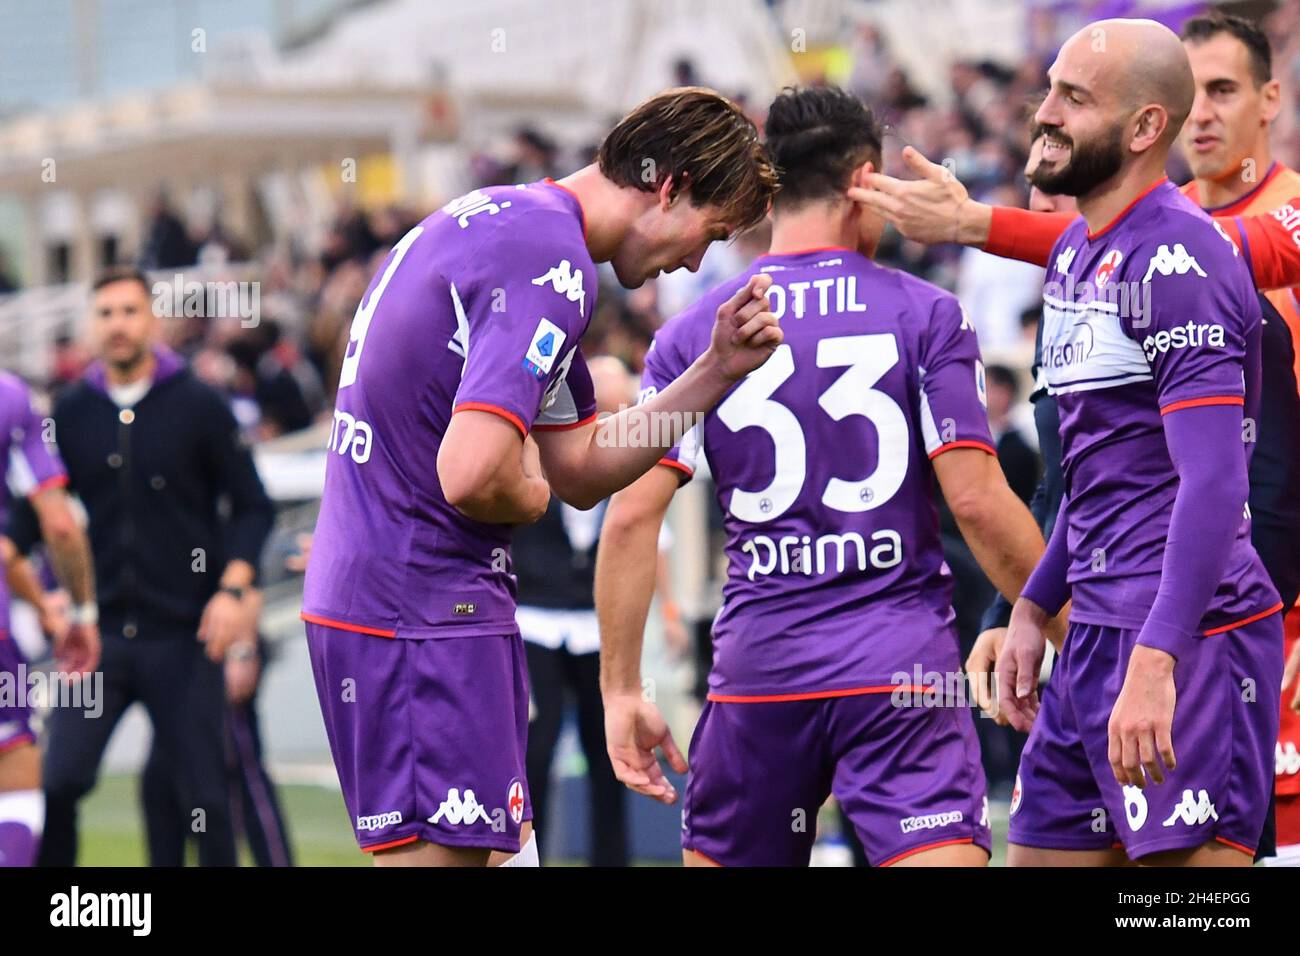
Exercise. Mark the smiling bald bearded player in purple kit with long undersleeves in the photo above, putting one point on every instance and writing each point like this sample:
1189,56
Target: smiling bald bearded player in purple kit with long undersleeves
1155,738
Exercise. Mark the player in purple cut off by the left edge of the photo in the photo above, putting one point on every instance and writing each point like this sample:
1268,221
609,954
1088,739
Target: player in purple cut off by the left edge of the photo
33,470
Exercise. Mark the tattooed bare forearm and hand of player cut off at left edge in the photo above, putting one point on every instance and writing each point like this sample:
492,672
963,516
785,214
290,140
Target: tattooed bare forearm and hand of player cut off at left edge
70,553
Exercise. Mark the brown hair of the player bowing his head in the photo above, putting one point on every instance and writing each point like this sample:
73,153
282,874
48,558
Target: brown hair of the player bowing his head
705,142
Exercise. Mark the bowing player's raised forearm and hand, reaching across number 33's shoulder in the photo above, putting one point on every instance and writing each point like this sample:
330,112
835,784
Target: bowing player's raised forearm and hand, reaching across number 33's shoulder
588,465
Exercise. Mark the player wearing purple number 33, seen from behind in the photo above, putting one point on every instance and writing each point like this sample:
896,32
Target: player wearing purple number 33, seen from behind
835,654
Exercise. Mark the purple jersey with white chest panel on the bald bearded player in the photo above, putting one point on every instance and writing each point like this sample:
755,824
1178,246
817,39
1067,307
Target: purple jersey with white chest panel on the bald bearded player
1154,314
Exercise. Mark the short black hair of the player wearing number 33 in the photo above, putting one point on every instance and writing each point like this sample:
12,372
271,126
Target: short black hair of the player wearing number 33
817,137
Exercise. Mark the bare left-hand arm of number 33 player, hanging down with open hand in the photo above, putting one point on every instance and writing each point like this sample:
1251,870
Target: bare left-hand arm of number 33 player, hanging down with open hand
625,585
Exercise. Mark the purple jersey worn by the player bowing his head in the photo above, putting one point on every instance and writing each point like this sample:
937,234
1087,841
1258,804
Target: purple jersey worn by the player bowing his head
479,308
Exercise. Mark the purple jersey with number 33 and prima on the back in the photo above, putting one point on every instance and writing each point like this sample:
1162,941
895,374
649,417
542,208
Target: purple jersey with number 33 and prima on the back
822,462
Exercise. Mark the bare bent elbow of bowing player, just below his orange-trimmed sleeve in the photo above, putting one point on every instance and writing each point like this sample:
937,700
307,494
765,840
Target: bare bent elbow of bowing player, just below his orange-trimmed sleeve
489,471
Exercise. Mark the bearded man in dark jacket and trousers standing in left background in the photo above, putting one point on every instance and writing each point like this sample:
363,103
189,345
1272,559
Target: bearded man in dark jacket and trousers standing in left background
177,524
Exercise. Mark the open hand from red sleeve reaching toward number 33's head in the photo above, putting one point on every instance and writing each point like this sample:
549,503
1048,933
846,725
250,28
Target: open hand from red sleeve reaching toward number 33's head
931,209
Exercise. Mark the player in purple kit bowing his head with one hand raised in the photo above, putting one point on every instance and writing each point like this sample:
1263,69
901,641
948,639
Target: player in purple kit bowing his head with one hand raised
463,404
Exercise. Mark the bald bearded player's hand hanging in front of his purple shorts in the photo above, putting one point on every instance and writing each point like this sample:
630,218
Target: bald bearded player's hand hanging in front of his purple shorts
1142,723
